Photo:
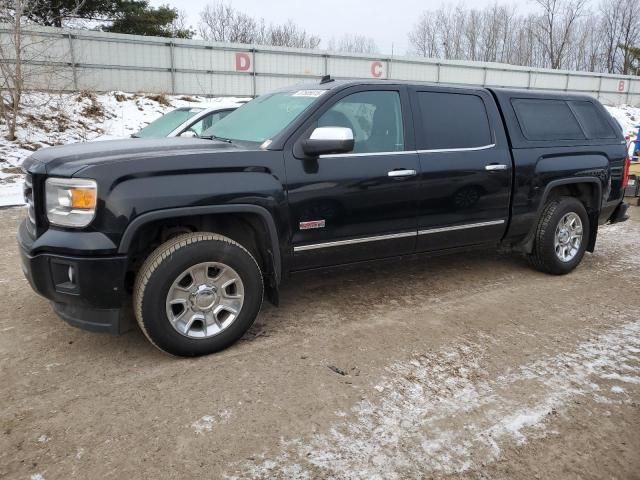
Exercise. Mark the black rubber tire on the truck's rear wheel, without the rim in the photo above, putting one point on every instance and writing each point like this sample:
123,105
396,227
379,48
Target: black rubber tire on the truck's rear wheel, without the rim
543,256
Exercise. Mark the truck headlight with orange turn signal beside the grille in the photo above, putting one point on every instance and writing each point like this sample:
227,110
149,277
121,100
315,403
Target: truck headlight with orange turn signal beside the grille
71,202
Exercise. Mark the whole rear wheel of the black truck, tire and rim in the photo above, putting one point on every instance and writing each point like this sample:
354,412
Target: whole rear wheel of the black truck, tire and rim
561,237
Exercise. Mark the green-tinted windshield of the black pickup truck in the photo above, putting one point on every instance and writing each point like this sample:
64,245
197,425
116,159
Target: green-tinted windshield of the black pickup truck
263,117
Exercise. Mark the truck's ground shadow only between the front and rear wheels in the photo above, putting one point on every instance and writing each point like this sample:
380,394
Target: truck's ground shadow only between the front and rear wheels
351,292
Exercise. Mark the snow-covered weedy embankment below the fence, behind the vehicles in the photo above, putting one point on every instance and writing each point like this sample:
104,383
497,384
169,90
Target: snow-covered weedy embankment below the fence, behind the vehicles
69,118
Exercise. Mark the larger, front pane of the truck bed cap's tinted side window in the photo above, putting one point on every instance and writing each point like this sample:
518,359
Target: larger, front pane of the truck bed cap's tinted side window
547,120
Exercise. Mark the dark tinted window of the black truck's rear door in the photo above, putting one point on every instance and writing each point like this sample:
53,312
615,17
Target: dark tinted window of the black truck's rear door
452,120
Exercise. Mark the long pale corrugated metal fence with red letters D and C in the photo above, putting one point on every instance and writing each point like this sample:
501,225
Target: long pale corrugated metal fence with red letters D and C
82,59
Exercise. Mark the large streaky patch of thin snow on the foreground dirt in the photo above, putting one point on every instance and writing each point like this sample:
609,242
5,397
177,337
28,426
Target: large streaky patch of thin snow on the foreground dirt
444,412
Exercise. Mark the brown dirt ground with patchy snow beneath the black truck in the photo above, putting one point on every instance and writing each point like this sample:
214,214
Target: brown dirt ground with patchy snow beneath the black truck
465,367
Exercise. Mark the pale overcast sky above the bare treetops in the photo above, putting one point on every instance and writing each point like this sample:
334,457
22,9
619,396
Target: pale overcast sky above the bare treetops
332,18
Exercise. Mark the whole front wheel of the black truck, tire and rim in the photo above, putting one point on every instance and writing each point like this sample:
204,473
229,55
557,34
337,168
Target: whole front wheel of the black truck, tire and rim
197,294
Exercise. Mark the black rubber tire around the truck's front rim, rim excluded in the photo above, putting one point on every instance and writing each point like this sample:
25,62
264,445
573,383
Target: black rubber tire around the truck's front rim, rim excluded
169,261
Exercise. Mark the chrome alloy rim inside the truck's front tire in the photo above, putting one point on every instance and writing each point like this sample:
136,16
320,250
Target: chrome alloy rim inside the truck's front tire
205,299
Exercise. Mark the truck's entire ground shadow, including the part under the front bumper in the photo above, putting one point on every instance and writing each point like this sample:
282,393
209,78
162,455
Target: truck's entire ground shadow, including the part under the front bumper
313,299
